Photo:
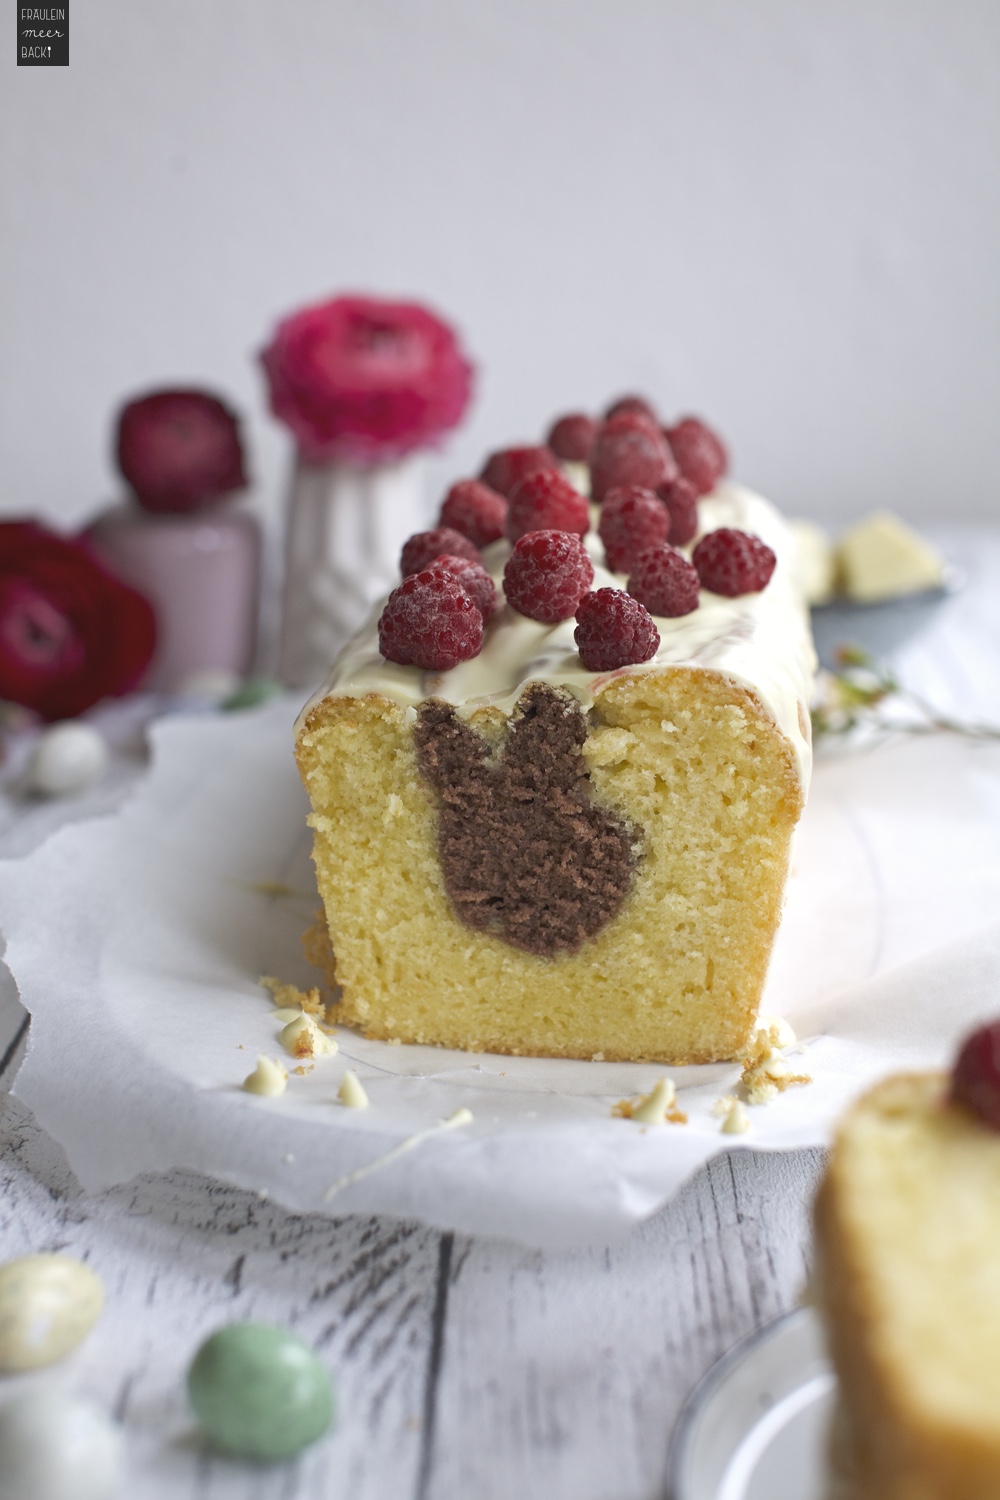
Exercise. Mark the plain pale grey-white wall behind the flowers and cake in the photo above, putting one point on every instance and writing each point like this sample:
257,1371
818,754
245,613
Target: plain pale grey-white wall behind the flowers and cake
780,214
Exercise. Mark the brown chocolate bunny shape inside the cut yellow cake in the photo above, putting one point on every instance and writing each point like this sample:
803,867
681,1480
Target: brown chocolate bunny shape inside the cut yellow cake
525,853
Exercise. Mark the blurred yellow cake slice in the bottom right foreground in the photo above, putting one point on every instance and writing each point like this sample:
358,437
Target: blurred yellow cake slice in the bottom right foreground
908,1280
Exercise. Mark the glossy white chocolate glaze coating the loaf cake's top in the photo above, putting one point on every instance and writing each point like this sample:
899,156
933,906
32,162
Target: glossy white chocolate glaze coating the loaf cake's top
761,641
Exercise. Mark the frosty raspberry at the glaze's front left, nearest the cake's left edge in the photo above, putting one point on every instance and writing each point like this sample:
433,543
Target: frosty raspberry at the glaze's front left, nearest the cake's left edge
430,622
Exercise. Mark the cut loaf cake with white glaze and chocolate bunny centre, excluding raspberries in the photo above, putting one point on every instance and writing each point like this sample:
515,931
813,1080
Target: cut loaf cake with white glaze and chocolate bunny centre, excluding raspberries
527,856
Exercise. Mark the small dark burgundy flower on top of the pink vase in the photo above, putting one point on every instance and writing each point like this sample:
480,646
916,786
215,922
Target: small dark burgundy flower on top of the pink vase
181,449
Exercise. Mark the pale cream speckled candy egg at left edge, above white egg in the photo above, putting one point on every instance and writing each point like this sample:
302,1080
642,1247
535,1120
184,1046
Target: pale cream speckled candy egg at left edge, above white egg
49,1304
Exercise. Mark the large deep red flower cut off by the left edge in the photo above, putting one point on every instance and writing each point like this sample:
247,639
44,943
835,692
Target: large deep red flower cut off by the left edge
71,634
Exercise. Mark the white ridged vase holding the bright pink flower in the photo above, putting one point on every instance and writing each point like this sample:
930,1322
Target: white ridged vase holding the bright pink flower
347,526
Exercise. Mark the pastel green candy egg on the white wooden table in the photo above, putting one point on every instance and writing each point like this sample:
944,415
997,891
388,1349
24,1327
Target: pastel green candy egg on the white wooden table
260,1391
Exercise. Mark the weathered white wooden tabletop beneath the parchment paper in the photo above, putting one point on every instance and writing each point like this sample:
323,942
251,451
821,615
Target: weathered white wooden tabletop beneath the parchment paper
467,1370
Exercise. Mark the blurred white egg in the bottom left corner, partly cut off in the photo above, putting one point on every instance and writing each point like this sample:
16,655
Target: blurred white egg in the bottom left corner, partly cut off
55,1447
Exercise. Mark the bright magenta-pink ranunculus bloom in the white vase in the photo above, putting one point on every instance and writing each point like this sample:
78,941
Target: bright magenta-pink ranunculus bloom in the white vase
367,380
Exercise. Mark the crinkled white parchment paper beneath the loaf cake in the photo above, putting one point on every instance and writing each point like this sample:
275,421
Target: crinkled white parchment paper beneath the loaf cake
137,943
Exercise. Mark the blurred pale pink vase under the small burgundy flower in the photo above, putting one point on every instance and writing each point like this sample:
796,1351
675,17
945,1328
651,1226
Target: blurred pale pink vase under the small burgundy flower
202,574
